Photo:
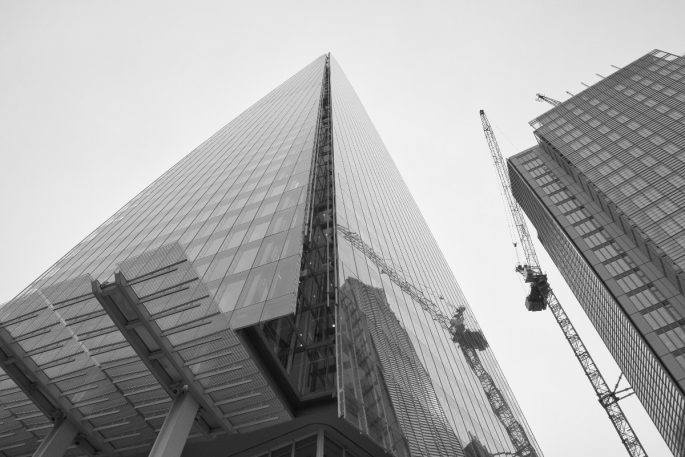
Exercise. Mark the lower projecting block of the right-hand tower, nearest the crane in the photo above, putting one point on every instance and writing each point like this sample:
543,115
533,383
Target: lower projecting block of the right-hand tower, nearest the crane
571,239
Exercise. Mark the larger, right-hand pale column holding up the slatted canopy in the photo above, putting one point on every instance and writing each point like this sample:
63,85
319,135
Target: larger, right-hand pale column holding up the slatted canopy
174,433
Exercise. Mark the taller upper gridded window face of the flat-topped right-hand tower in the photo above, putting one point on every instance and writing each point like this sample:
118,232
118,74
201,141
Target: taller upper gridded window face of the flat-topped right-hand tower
626,134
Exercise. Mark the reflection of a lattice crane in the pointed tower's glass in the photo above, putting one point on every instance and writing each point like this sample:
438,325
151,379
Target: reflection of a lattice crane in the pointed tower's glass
469,341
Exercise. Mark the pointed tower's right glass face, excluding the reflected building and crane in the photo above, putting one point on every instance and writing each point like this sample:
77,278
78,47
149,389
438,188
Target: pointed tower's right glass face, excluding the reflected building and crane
373,202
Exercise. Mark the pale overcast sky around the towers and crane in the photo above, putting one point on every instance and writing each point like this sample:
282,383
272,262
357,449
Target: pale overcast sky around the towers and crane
97,99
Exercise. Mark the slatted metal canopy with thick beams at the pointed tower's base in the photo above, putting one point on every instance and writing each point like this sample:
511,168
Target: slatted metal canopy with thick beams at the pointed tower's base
111,359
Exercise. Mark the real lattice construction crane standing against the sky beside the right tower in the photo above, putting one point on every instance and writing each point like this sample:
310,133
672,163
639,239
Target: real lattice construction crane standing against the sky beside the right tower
541,296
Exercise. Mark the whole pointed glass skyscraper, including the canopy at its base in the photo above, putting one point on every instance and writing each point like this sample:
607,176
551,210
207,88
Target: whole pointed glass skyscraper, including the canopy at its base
270,294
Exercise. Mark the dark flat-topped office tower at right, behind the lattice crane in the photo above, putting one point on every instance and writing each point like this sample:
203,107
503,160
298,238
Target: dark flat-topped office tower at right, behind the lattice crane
605,189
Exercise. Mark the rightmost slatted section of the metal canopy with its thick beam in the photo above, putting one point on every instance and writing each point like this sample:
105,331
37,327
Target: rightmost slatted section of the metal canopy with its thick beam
167,315
